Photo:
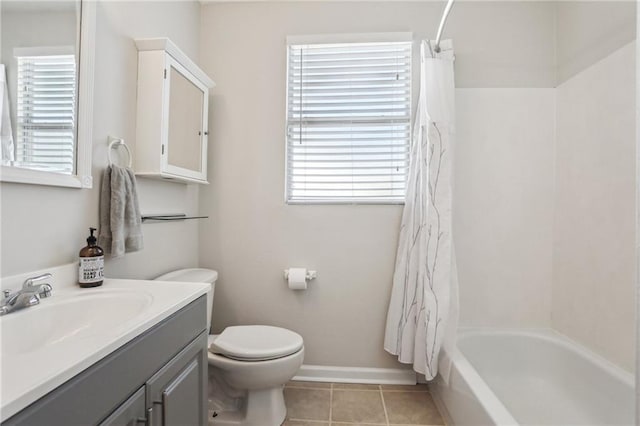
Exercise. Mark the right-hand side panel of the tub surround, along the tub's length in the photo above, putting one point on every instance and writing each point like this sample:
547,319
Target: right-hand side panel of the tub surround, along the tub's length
594,226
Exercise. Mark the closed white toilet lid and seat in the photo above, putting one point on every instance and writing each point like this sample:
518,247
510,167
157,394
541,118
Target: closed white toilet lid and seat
256,342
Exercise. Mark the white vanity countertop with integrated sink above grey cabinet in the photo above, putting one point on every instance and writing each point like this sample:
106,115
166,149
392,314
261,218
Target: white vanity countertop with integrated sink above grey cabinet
29,373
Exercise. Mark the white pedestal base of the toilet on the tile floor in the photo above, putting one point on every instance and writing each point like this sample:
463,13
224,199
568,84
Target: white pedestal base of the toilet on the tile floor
262,407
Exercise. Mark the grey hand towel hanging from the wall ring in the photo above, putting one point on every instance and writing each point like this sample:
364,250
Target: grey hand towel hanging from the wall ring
120,219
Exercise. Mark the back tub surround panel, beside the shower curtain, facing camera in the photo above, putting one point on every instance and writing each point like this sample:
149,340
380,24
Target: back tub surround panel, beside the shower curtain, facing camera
503,205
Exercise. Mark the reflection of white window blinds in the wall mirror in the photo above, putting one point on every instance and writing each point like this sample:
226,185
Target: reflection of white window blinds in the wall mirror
46,112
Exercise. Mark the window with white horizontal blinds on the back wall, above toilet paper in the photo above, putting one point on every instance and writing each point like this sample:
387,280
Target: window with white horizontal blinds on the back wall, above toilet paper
348,122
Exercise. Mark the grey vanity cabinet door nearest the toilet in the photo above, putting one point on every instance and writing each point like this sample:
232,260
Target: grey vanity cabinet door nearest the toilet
176,394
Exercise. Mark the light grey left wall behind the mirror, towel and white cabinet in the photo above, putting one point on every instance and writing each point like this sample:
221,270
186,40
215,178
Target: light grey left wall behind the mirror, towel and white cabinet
47,226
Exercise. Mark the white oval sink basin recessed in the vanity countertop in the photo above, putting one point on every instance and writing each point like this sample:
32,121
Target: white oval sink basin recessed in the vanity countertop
57,320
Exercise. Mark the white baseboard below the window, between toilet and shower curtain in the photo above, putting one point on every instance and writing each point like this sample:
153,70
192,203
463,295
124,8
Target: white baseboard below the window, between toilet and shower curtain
381,376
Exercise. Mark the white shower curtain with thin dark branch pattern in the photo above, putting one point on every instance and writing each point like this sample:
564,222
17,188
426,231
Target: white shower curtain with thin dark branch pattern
422,312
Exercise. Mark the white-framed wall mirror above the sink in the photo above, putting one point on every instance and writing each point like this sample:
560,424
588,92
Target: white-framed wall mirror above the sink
46,88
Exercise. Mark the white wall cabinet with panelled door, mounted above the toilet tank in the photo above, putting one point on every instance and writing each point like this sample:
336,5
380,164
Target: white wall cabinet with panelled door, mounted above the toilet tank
172,113
